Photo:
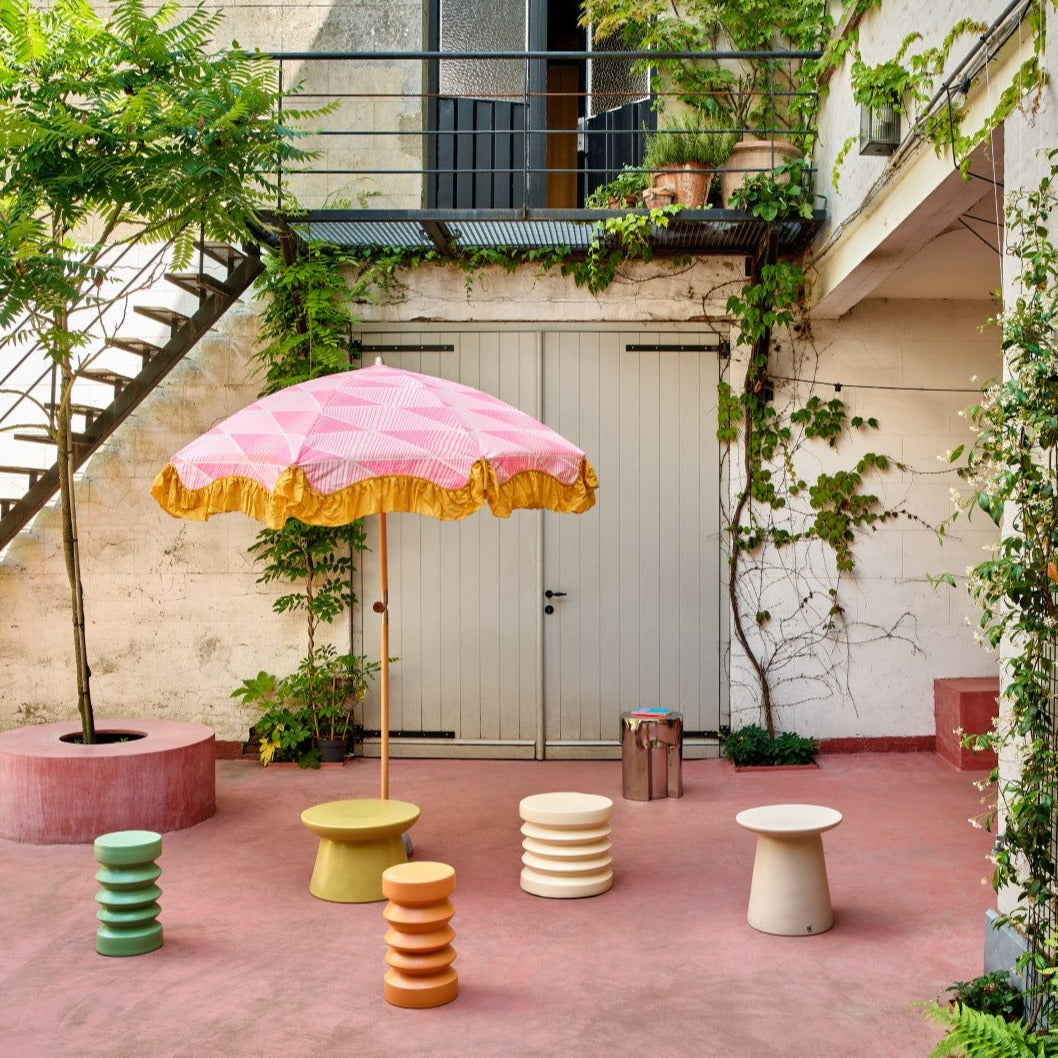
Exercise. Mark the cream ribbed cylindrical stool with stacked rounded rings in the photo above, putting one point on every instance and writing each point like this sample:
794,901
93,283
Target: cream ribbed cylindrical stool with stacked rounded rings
567,845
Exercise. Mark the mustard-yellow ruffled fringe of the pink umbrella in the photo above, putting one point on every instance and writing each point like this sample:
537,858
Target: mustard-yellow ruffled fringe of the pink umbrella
294,497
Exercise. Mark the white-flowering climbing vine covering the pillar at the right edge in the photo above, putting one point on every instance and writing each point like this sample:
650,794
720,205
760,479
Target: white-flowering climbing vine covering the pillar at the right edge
1012,476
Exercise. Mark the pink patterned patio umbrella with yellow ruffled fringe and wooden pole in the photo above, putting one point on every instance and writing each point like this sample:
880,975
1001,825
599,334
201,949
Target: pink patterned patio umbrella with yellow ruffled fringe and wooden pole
371,442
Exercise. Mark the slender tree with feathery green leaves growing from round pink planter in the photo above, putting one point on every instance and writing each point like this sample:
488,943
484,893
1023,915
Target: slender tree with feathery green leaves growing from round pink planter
118,131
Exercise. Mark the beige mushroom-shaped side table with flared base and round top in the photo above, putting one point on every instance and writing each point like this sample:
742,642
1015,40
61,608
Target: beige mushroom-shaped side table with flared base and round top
790,896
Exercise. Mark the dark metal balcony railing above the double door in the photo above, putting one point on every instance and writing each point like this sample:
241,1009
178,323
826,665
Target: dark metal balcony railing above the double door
505,149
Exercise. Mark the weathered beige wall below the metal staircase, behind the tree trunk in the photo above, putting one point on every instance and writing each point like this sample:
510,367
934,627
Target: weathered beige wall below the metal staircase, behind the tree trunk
175,619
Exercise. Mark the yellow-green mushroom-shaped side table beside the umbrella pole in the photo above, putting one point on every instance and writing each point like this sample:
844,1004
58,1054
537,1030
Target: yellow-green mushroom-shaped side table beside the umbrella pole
358,841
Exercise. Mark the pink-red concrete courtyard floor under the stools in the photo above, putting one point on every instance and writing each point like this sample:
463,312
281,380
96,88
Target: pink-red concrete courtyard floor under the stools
663,965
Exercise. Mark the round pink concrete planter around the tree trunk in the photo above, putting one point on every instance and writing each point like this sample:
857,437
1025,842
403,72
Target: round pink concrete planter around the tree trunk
60,793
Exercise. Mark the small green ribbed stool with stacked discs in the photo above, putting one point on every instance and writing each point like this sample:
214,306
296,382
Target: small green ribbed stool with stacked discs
130,898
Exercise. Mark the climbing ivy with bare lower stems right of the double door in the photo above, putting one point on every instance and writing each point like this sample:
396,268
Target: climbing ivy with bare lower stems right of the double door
780,515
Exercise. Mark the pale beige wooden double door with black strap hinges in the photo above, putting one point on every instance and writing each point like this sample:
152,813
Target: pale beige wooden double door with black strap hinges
489,664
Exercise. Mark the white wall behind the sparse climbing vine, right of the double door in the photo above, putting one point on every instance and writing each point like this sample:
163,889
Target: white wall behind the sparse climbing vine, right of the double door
910,364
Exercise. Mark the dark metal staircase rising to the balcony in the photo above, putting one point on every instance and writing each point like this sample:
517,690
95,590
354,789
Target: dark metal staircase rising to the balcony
27,482
